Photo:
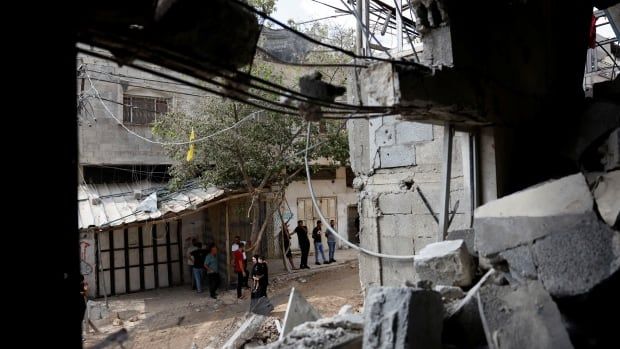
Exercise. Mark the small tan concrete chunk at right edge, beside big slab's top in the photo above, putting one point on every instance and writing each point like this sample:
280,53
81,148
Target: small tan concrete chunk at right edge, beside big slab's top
607,197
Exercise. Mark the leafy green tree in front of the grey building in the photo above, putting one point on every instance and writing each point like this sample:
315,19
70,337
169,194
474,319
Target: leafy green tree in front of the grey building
264,152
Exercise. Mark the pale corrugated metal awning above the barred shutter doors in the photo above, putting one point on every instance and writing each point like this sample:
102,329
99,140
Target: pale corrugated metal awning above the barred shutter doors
115,204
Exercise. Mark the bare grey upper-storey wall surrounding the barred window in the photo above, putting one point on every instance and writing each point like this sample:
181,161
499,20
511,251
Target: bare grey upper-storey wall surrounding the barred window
101,139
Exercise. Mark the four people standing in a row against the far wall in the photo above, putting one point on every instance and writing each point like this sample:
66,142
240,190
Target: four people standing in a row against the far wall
304,243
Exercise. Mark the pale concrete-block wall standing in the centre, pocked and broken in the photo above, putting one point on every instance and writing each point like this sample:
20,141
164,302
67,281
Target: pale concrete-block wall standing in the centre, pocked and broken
396,164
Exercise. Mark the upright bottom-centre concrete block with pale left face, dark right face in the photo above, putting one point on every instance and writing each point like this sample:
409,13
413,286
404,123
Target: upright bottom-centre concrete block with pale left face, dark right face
402,317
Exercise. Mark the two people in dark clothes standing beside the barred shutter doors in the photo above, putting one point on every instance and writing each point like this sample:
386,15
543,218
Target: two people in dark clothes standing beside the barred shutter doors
203,264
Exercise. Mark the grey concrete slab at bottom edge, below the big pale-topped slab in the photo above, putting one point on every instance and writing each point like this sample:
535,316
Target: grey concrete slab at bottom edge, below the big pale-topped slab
522,316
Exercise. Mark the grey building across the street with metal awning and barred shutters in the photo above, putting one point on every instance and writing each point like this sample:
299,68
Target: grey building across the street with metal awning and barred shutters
123,250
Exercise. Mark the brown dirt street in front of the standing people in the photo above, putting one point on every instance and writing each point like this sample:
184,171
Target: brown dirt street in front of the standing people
178,317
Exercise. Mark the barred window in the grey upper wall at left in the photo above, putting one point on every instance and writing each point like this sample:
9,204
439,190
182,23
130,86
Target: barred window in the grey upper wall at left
143,110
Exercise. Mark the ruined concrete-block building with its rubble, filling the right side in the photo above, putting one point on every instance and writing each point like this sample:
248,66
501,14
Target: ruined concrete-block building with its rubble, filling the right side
503,119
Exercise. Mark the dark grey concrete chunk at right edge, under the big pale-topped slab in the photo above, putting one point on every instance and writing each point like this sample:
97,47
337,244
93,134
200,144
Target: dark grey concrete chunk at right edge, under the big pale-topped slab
574,261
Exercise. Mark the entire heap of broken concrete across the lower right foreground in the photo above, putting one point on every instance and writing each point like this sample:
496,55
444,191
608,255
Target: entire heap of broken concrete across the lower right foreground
540,269
